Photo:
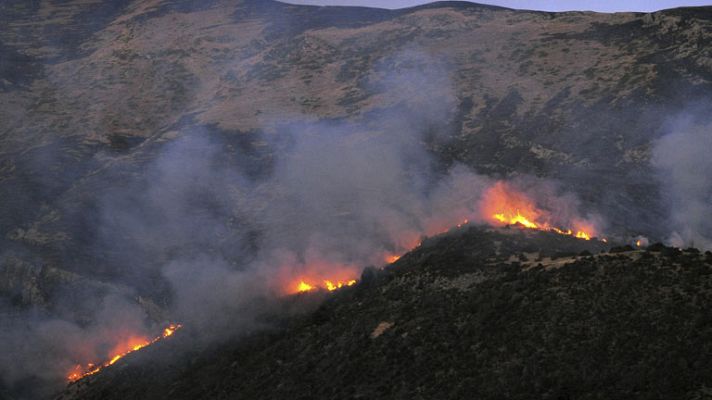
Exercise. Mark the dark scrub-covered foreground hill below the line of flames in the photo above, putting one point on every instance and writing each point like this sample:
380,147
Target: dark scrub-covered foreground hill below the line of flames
474,314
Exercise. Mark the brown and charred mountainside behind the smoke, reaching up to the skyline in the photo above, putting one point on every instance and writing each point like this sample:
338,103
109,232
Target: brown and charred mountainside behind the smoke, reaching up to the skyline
90,93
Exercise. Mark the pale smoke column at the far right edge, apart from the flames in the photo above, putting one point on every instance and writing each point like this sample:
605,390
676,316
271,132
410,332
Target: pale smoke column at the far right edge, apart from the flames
684,168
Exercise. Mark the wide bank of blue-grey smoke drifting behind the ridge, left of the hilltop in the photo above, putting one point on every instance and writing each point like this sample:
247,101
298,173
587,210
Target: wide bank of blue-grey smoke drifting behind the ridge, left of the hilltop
215,243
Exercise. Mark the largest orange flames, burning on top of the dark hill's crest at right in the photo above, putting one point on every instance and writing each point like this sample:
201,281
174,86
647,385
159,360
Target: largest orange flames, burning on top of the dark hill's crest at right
503,205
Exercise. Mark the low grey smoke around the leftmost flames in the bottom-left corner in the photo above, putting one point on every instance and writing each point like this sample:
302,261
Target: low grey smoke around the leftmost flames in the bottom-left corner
39,350
